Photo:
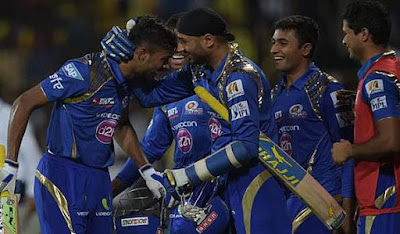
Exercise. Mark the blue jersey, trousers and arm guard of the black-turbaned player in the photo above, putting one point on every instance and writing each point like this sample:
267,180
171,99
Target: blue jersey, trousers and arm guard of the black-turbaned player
242,86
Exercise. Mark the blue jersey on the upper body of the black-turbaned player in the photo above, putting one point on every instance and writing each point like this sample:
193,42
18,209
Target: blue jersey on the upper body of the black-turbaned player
246,97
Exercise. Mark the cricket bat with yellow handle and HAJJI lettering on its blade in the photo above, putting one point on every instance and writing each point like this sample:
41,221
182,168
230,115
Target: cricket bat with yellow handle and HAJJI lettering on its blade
286,169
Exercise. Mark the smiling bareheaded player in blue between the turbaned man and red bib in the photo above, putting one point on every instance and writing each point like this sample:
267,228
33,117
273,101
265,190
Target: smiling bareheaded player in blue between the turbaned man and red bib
310,115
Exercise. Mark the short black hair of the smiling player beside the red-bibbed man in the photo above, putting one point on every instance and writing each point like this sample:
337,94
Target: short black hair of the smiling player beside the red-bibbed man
306,29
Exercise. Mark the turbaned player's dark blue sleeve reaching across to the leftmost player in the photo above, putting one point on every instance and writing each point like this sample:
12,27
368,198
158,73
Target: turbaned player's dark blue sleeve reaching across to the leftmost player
173,87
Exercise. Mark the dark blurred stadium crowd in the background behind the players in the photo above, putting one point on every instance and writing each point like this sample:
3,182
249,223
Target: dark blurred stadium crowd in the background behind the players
37,36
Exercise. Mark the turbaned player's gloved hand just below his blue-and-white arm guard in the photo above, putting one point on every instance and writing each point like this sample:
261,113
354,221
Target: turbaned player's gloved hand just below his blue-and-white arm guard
176,182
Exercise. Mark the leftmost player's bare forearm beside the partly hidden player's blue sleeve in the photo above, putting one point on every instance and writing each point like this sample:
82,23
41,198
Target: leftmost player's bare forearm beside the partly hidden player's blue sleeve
126,137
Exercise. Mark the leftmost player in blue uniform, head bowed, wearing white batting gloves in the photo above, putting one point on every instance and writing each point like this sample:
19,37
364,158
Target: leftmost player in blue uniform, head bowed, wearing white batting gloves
90,96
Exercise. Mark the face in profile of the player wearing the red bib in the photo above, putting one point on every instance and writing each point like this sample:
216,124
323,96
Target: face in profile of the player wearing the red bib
352,41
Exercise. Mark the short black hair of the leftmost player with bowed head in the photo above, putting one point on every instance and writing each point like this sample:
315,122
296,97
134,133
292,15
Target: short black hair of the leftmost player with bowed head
152,30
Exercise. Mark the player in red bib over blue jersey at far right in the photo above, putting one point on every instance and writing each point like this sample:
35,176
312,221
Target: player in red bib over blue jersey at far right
376,148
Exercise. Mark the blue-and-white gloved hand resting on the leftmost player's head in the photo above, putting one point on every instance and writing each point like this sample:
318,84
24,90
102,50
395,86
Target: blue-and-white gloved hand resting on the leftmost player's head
117,45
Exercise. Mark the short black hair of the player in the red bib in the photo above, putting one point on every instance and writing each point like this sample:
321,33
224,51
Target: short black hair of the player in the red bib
371,15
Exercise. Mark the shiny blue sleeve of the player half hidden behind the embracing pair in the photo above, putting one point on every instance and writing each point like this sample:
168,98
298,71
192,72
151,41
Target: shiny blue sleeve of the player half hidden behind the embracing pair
158,137
